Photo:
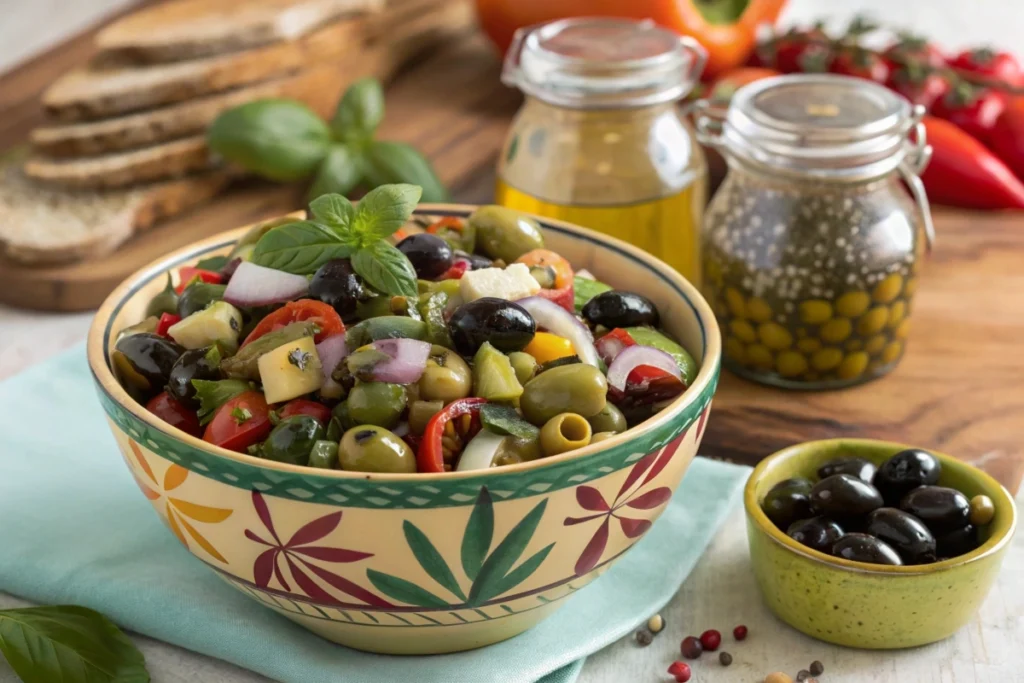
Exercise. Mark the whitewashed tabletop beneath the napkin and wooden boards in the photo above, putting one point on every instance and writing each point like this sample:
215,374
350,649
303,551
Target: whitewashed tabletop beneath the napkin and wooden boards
721,592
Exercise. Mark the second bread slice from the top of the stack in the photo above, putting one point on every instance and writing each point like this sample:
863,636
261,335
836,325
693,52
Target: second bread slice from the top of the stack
94,93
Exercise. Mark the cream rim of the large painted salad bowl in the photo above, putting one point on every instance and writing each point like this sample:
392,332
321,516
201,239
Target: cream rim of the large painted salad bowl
152,433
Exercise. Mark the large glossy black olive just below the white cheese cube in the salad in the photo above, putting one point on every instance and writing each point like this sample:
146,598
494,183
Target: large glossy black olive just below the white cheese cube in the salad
506,325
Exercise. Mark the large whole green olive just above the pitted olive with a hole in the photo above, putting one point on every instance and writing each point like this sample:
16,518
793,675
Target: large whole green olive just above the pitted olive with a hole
578,389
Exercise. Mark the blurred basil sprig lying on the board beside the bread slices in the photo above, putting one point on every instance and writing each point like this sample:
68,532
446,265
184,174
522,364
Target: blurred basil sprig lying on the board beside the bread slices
286,142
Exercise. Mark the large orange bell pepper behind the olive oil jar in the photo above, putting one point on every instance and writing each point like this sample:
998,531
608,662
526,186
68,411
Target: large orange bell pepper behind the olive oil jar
727,28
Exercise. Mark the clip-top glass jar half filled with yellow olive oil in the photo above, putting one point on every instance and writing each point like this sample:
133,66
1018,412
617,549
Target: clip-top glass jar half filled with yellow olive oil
600,141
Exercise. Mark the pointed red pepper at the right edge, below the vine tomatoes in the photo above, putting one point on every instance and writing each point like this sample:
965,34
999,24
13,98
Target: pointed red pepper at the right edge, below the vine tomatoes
964,174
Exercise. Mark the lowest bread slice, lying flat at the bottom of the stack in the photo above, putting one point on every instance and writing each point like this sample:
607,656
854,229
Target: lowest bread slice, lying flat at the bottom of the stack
41,226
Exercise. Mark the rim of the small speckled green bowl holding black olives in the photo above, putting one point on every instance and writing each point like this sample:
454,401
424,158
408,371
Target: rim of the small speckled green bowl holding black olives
1002,534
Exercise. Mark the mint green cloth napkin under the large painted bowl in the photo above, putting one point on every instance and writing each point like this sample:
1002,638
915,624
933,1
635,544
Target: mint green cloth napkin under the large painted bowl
75,530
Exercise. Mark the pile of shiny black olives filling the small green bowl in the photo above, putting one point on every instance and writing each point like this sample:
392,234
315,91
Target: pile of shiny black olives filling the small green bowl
893,515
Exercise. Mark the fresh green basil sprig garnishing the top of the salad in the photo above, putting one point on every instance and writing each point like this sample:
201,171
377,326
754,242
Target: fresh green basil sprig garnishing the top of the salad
339,230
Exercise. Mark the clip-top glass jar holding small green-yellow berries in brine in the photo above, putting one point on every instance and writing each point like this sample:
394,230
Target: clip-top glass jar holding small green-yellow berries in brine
813,244
